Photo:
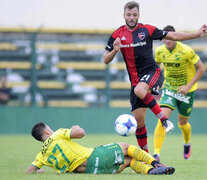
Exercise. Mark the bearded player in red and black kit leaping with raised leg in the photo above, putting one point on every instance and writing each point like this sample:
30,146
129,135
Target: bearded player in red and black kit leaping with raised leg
135,42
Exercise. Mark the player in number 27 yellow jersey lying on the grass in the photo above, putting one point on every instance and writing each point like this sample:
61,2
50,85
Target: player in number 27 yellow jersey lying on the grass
62,154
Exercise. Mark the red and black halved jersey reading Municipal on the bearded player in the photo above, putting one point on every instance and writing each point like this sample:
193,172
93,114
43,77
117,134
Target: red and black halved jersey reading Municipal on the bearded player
137,48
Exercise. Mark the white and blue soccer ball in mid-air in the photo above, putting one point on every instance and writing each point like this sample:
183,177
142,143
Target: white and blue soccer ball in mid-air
125,125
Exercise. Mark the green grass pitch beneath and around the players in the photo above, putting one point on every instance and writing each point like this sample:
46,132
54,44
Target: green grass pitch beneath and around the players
18,151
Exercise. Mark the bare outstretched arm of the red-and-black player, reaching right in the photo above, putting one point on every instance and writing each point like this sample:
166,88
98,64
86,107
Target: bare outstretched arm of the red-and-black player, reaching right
181,36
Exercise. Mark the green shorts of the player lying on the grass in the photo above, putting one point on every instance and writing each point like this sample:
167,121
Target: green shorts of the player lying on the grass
105,159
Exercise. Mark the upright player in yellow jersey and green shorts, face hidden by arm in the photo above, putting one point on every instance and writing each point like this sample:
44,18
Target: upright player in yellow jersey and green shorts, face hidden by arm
183,68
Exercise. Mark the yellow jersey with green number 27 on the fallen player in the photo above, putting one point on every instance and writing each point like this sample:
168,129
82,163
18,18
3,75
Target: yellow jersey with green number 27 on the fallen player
60,153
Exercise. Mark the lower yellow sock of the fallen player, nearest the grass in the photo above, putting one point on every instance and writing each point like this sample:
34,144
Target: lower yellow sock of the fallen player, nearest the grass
139,167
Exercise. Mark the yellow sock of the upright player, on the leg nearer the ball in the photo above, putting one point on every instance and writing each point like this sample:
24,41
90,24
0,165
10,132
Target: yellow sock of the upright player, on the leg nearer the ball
159,136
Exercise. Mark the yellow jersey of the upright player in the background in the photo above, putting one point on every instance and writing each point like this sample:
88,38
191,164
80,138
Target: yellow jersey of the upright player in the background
179,65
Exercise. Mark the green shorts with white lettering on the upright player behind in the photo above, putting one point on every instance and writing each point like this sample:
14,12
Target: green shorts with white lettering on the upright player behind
184,103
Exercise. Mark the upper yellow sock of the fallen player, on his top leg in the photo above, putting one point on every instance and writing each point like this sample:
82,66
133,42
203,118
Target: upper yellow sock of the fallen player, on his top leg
140,154
